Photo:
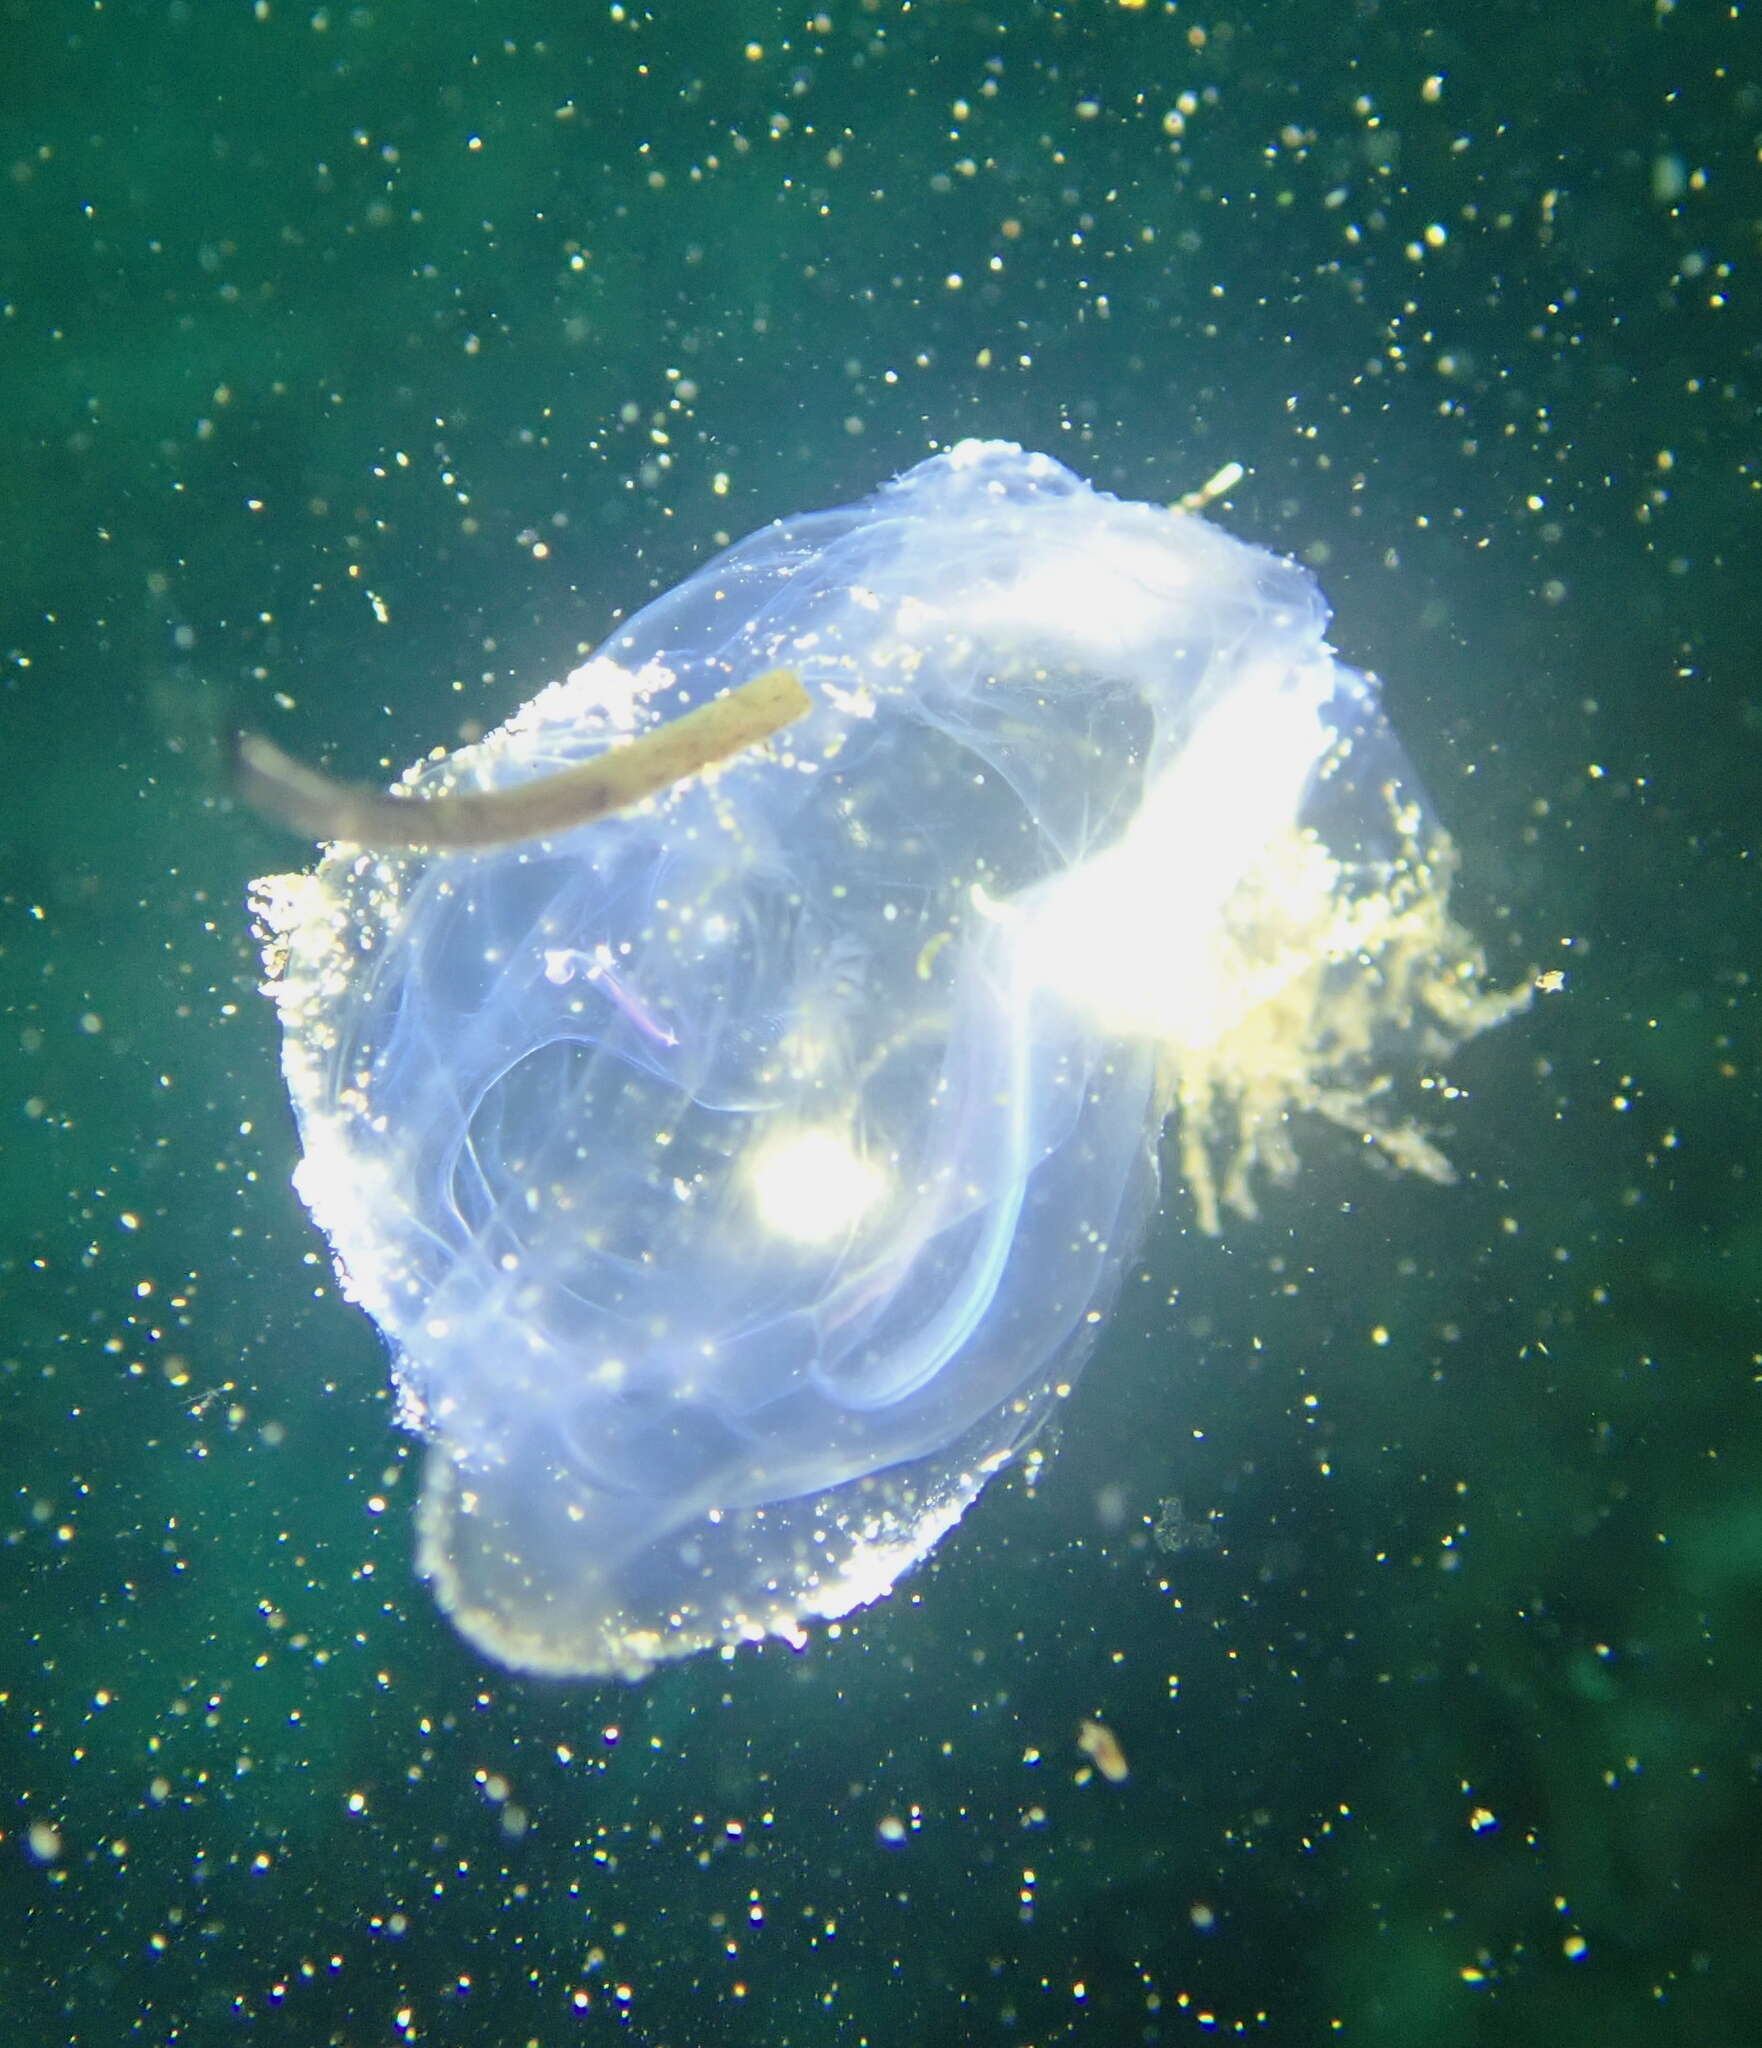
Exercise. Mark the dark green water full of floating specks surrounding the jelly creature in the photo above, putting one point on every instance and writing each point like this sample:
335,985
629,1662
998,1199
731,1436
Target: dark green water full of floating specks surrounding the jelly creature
1445,1727
